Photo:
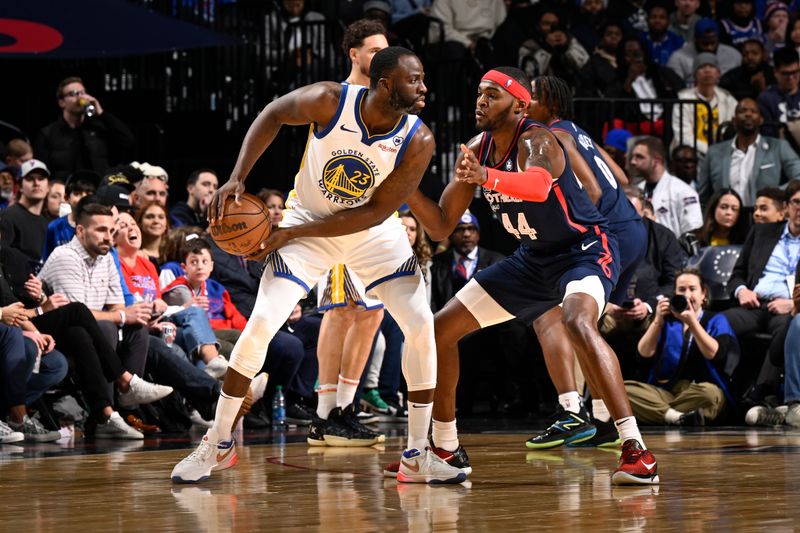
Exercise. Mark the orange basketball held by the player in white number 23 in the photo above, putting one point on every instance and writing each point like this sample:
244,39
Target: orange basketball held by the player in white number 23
244,227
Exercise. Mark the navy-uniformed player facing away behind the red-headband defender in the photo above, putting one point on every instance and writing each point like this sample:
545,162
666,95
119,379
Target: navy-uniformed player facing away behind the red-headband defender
552,105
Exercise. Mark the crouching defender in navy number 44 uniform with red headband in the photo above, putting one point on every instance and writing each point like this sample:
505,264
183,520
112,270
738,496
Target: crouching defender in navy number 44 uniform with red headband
565,257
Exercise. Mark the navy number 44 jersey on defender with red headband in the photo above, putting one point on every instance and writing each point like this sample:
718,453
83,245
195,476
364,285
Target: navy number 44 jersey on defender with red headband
555,224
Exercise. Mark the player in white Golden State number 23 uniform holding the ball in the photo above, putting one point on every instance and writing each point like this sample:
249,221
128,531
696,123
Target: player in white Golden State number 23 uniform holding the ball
366,154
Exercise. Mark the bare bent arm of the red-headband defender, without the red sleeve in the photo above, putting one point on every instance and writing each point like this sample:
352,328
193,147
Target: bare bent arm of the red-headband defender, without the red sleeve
439,220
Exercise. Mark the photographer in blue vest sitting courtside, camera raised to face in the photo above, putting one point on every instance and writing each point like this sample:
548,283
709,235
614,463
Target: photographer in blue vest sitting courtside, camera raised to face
694,351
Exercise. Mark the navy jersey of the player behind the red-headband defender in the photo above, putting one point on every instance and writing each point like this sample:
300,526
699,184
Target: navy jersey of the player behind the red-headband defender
613,204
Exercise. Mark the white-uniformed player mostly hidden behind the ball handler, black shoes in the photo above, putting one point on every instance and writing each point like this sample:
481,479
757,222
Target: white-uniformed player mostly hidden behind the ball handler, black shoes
347,331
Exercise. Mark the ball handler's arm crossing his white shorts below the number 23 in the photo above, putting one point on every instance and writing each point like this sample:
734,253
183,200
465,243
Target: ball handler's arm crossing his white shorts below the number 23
387,198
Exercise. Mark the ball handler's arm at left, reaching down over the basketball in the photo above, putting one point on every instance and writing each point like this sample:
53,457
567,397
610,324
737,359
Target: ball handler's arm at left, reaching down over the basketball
315,103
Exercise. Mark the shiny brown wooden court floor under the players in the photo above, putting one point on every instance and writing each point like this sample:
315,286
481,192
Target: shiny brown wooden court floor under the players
723,480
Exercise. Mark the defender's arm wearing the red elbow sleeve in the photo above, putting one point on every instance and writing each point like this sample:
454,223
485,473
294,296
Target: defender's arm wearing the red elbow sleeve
541,158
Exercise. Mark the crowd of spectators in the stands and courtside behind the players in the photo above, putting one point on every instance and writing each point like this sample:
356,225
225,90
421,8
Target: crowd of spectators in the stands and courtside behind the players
118,297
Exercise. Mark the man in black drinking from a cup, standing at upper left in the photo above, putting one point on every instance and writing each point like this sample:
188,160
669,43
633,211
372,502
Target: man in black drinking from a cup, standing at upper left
85,135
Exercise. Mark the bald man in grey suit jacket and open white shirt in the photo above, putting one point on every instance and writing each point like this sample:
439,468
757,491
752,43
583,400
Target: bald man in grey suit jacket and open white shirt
749,162
